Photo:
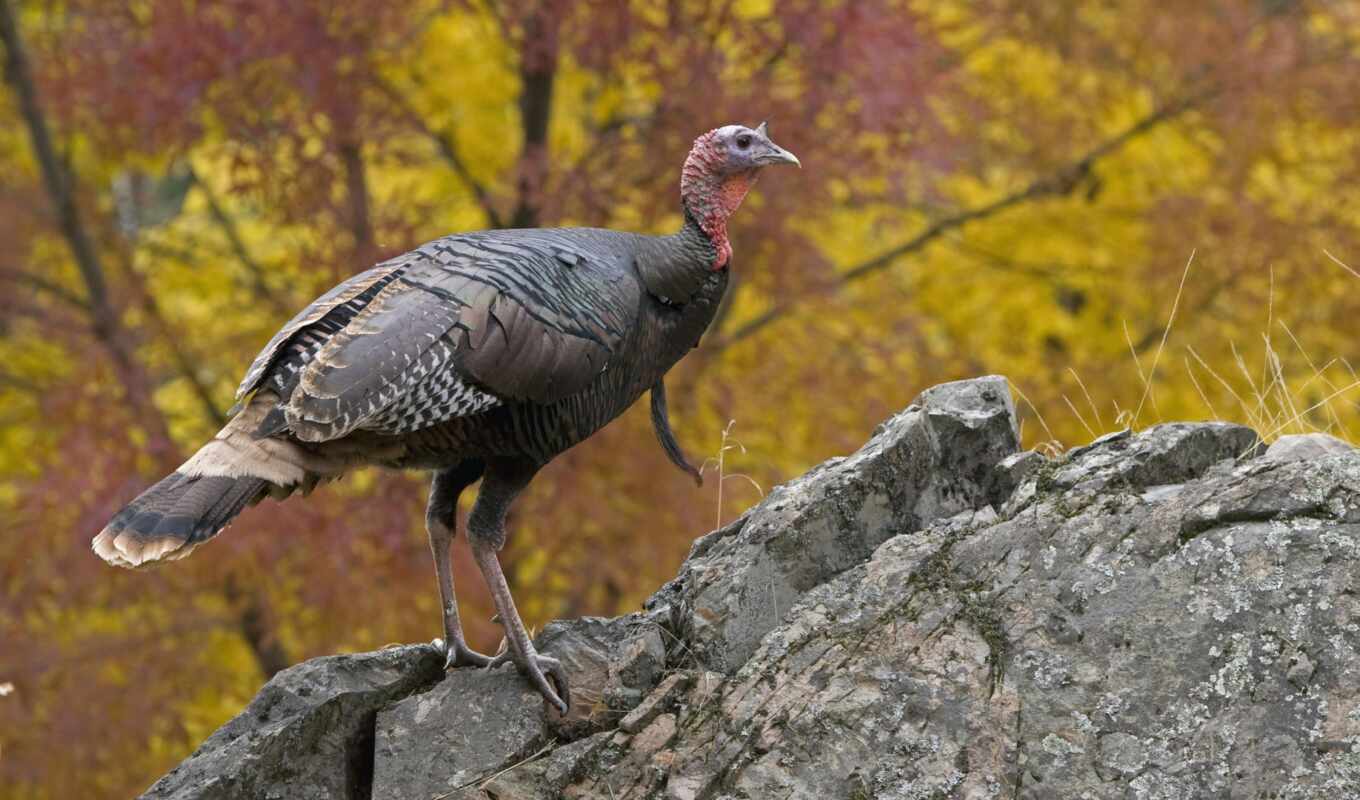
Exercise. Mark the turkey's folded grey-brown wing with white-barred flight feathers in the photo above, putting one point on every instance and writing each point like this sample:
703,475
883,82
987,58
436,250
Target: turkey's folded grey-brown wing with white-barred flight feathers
467,323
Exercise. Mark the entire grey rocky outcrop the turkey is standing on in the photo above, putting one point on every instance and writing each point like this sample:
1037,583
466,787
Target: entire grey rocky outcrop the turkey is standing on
1168,614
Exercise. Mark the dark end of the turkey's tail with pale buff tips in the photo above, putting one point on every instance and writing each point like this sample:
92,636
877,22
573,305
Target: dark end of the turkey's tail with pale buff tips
175,516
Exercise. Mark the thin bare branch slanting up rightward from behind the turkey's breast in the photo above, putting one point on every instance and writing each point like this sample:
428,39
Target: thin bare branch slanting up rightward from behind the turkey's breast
1061,183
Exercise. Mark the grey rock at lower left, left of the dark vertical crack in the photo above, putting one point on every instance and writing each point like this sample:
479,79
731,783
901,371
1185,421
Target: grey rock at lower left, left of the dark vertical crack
308,734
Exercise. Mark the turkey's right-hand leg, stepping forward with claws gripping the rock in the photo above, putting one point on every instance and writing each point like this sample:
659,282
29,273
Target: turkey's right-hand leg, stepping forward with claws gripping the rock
486,531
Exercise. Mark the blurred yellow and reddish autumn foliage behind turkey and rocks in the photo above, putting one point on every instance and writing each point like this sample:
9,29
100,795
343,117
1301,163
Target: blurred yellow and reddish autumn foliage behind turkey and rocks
1138,212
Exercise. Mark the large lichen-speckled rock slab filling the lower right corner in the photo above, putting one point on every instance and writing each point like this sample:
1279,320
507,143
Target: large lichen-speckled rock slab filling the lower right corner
1185,643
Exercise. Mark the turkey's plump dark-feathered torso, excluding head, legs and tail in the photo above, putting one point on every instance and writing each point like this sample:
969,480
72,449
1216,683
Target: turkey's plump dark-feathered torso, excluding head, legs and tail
516,344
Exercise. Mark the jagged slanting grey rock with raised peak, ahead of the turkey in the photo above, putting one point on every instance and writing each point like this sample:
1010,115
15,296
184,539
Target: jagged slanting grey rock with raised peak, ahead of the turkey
934,461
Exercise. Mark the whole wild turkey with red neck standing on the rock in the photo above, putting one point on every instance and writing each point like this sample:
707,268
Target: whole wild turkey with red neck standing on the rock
477,357
